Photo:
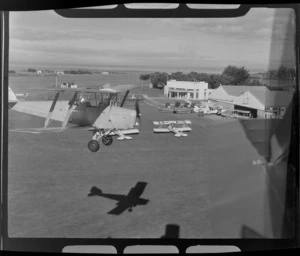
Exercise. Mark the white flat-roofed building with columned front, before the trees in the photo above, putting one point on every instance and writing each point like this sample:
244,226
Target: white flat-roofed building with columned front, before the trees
186,90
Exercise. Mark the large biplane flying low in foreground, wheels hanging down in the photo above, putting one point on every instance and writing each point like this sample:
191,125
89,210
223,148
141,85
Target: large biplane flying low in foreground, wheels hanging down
102,114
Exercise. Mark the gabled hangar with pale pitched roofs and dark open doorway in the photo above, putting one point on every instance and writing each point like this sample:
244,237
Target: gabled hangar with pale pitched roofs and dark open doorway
259,101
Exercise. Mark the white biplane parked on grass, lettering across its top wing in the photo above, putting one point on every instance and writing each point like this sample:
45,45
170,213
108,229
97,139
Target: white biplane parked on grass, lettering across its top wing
177,127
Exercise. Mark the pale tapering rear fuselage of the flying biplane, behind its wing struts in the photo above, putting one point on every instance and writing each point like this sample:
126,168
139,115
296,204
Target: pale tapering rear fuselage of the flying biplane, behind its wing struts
41,109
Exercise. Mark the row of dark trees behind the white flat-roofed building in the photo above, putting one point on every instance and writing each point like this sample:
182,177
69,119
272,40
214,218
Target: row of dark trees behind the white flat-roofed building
231,75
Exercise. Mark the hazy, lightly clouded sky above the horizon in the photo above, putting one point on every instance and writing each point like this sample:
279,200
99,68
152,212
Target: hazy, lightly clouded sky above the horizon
45,39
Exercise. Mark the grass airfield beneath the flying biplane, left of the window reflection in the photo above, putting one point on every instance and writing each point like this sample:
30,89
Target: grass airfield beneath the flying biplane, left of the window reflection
50,177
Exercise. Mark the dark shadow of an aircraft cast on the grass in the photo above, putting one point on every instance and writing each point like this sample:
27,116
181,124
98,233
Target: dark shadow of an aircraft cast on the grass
132,199
